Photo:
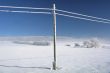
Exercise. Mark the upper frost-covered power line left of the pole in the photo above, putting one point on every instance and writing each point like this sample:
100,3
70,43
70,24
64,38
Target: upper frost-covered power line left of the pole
25,7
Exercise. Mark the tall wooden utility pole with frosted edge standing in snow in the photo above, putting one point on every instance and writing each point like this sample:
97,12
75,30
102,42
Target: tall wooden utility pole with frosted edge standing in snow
54,36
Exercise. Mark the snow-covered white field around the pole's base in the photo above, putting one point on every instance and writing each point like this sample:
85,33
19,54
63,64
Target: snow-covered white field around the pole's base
25,58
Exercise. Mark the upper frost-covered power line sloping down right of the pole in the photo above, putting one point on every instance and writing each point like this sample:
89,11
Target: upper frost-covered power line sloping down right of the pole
83,15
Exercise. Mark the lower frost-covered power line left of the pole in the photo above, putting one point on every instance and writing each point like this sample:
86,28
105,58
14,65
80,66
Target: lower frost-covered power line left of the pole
25,12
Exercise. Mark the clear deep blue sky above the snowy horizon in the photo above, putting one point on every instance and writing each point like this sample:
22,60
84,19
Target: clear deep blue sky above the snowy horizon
20,24
